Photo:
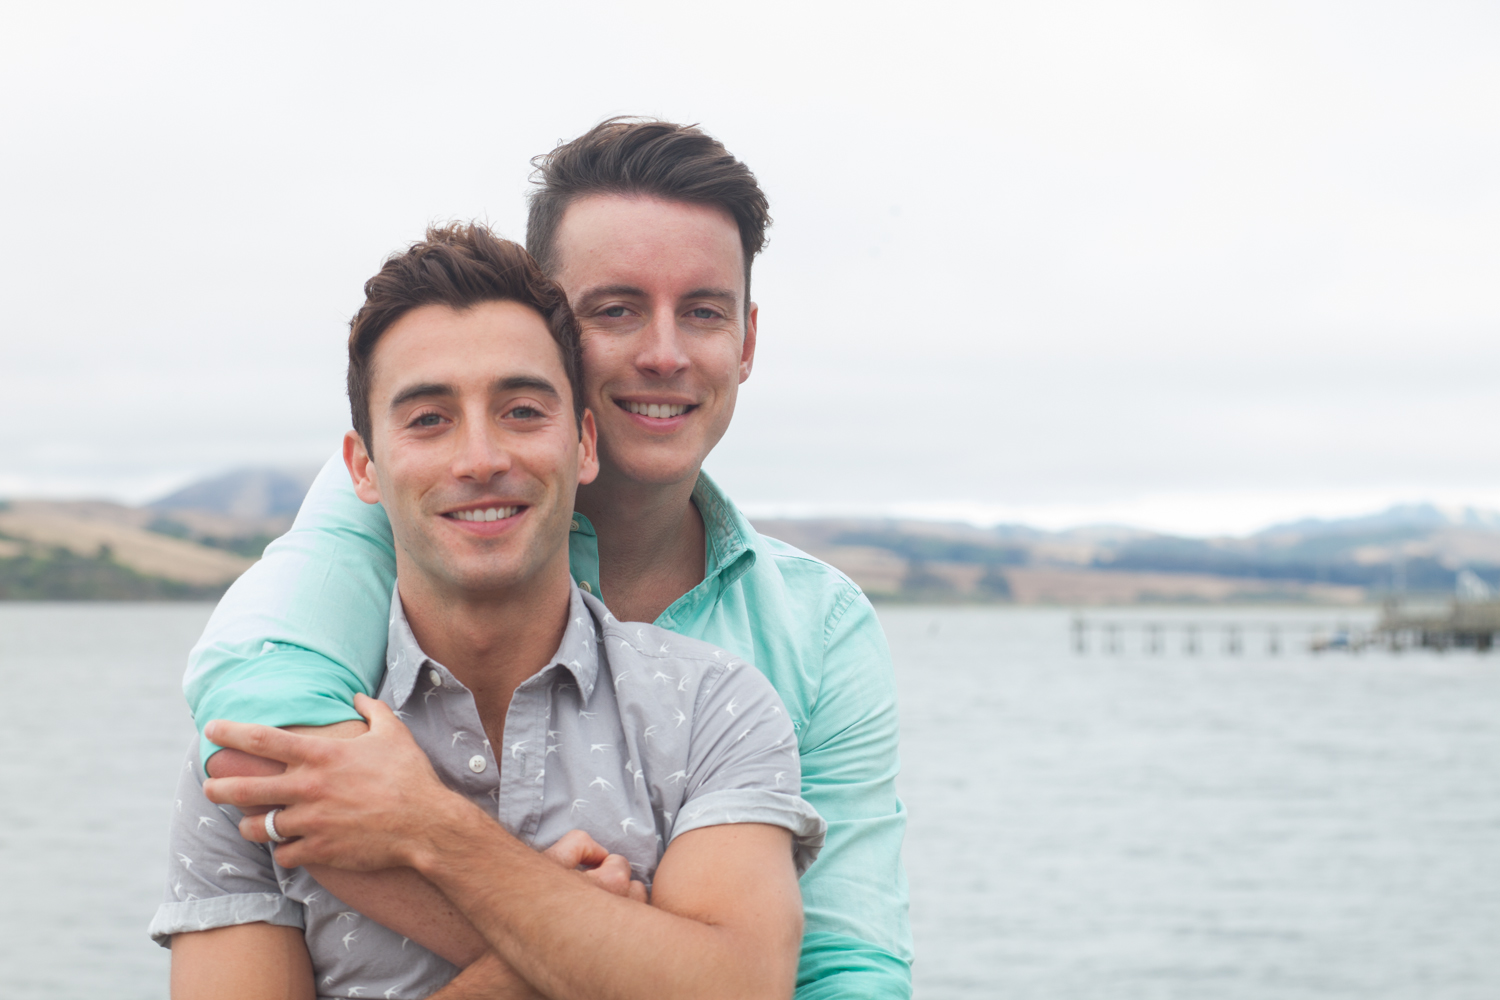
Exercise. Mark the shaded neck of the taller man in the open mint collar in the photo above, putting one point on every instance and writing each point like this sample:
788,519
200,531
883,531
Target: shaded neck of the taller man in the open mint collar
652,542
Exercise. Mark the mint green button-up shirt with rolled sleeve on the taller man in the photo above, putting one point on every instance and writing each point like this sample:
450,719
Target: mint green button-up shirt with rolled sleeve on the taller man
305,630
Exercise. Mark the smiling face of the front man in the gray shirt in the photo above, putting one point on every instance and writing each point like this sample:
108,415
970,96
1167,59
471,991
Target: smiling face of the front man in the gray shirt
476,449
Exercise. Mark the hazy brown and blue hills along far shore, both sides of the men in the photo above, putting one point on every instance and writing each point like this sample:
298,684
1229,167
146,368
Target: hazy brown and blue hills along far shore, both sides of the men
196,542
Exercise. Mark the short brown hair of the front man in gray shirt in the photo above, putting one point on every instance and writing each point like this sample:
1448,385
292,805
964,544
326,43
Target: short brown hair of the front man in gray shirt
458,266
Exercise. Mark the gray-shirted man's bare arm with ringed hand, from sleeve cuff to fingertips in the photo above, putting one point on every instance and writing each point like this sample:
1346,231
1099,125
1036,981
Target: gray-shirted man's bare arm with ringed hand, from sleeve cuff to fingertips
725,918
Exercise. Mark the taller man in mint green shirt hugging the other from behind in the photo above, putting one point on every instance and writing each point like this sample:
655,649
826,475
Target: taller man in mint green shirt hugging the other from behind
652,230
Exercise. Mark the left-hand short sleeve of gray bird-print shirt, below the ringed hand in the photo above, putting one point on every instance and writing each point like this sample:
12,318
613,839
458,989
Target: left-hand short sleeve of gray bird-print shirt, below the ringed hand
215,876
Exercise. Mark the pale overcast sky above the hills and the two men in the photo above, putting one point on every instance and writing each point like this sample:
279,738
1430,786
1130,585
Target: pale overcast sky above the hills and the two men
1189,266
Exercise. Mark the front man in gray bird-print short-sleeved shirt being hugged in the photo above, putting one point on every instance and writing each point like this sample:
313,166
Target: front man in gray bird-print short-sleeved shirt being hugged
646,762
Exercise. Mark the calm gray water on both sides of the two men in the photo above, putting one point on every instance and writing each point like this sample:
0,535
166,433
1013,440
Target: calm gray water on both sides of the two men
1099,827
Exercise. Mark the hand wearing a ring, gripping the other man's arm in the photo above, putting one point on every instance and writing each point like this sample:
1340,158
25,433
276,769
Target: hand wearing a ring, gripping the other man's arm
359,804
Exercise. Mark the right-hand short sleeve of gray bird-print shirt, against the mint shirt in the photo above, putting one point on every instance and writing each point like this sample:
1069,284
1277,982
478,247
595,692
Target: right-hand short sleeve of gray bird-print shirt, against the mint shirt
743,762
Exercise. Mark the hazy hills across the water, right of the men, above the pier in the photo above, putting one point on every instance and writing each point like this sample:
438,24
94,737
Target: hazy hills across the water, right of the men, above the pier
1414,548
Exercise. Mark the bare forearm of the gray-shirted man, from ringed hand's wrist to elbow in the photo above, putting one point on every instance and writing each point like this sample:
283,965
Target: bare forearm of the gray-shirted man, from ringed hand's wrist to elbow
572,941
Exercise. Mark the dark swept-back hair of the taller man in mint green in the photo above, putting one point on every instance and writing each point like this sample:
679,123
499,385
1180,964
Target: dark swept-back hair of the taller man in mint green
644,157
